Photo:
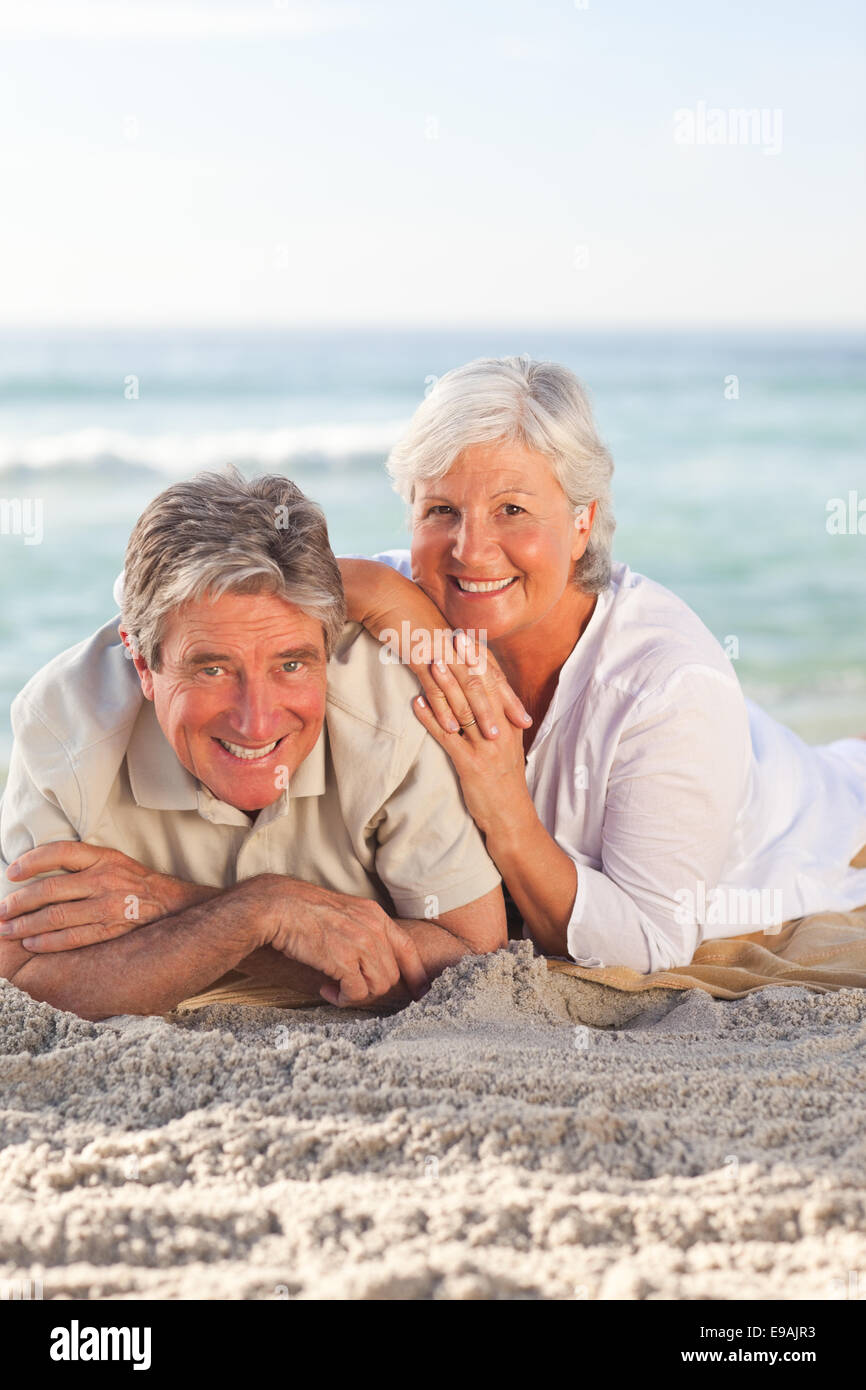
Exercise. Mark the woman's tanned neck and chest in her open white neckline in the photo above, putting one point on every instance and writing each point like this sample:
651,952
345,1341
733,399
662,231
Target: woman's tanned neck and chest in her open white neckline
533,658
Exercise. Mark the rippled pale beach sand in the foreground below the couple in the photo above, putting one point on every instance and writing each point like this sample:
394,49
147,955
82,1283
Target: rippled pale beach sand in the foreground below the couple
516,1135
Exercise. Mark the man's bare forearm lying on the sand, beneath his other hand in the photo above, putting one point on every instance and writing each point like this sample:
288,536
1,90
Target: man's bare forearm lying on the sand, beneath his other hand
148,971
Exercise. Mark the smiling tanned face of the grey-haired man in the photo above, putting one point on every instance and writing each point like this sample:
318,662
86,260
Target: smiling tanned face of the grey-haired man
247,672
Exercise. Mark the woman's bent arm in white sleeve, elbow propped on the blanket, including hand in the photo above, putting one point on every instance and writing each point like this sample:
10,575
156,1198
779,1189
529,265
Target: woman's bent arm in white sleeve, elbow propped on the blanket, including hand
671,810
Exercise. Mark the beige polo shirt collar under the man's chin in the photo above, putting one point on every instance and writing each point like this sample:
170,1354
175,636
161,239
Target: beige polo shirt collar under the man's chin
161,782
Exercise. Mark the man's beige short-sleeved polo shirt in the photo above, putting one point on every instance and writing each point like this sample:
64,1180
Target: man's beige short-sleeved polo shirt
375,810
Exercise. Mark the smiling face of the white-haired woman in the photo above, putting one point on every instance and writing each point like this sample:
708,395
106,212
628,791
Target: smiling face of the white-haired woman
496,540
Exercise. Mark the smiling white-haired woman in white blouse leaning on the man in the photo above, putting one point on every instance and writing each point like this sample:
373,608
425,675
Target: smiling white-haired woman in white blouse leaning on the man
633,800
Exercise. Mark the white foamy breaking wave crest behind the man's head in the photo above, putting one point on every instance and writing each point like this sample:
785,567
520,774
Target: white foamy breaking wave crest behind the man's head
179,454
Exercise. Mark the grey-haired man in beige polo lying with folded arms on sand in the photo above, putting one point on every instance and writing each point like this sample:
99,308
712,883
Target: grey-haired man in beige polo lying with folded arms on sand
240,785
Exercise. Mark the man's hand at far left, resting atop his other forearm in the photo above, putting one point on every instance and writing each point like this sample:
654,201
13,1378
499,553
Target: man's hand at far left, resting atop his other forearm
104,894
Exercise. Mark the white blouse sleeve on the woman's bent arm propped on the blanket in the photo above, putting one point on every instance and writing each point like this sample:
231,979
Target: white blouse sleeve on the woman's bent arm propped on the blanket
672,803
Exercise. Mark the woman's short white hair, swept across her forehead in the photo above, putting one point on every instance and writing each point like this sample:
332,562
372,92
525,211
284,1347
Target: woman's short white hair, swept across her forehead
537,404
